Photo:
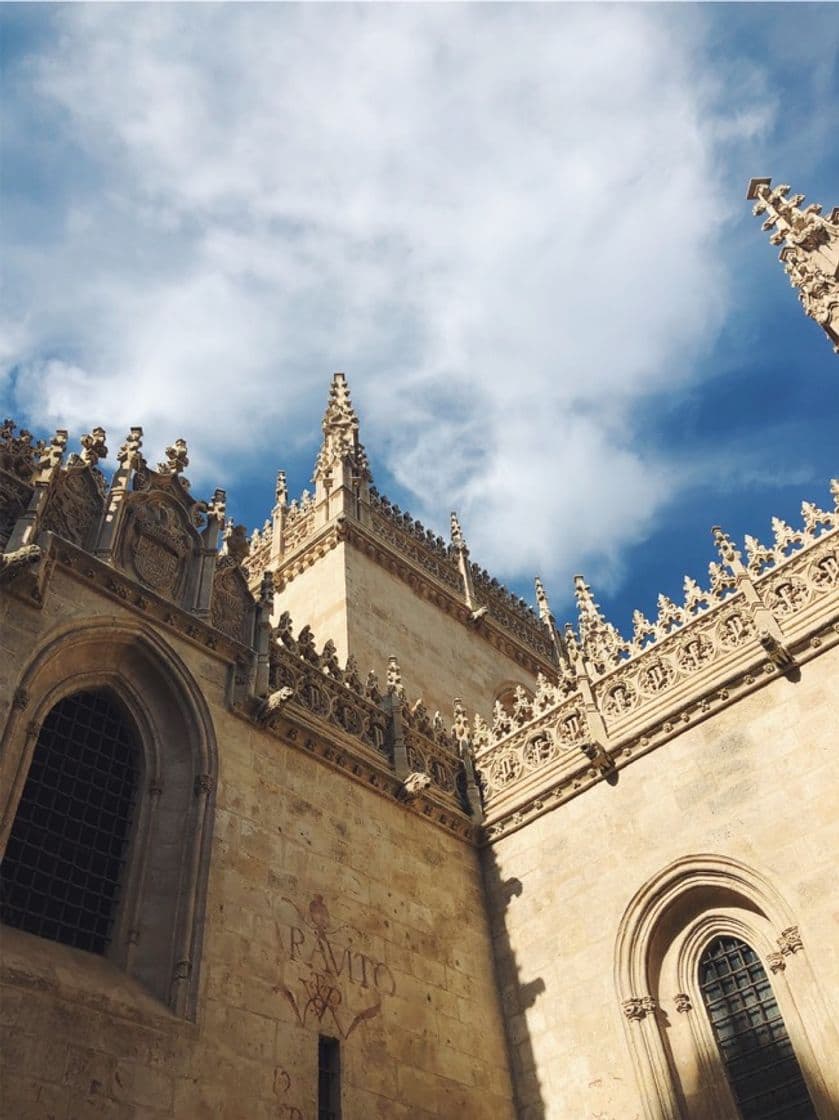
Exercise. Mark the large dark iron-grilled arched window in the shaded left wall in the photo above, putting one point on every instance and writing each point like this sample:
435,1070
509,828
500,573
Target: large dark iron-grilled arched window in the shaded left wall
67,853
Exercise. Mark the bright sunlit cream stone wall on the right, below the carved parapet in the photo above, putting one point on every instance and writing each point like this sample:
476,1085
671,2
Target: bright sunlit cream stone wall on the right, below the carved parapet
753,785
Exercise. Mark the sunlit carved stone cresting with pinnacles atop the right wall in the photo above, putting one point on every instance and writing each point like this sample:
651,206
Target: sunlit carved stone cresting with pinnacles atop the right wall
618,698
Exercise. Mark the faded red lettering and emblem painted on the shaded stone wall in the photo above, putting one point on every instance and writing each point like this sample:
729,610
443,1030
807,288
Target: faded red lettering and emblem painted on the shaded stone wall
328,979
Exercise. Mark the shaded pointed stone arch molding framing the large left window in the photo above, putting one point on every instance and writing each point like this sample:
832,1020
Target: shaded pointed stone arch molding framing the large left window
159,934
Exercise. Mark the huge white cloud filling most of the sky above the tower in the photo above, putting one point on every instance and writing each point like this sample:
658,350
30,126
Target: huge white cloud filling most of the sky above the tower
504,222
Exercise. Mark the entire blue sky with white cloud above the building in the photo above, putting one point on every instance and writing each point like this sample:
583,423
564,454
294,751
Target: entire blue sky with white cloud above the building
521,231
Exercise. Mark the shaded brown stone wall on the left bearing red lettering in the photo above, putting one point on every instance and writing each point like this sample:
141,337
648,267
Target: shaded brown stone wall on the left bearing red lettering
331,910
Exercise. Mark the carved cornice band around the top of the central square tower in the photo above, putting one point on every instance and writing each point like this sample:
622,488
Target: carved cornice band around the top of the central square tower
418,578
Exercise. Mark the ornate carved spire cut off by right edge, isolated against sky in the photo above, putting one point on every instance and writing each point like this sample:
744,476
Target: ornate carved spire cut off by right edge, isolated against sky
810,253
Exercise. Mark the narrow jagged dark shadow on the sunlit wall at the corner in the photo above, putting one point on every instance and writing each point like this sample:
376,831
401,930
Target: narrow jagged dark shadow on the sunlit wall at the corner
518,994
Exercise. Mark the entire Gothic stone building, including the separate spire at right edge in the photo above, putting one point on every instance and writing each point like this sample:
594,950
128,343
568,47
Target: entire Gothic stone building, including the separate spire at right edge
322,822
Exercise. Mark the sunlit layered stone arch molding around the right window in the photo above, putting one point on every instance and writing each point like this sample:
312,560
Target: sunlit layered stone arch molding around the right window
660,938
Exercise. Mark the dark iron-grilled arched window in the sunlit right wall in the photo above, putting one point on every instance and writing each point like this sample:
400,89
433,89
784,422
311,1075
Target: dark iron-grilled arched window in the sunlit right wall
759,1058
